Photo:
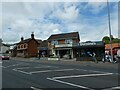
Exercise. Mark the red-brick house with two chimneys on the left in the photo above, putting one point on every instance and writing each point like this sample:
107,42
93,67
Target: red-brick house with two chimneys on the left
28,47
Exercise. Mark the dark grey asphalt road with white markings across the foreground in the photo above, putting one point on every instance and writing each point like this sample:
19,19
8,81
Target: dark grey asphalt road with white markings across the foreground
42,74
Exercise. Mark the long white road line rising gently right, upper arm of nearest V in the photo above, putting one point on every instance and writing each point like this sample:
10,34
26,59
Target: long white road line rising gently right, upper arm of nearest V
88,75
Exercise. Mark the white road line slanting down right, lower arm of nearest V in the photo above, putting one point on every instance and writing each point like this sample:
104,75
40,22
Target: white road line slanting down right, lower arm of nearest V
75,85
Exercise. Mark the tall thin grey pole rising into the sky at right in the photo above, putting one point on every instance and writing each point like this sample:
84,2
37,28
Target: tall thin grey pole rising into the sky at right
110,30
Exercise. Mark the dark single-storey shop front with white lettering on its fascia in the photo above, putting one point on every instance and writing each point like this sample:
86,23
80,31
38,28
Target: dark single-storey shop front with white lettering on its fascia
85,49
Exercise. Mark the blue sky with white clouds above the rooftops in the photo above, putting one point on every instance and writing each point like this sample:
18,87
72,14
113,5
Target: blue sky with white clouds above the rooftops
90,19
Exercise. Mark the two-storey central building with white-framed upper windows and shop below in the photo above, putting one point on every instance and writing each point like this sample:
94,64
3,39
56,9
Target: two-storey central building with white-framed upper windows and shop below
62,44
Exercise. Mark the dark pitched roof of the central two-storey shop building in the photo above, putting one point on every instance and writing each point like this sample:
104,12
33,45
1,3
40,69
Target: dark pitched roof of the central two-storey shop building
71,35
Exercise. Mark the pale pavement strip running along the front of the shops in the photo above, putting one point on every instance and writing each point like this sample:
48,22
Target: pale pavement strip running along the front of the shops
69,61
